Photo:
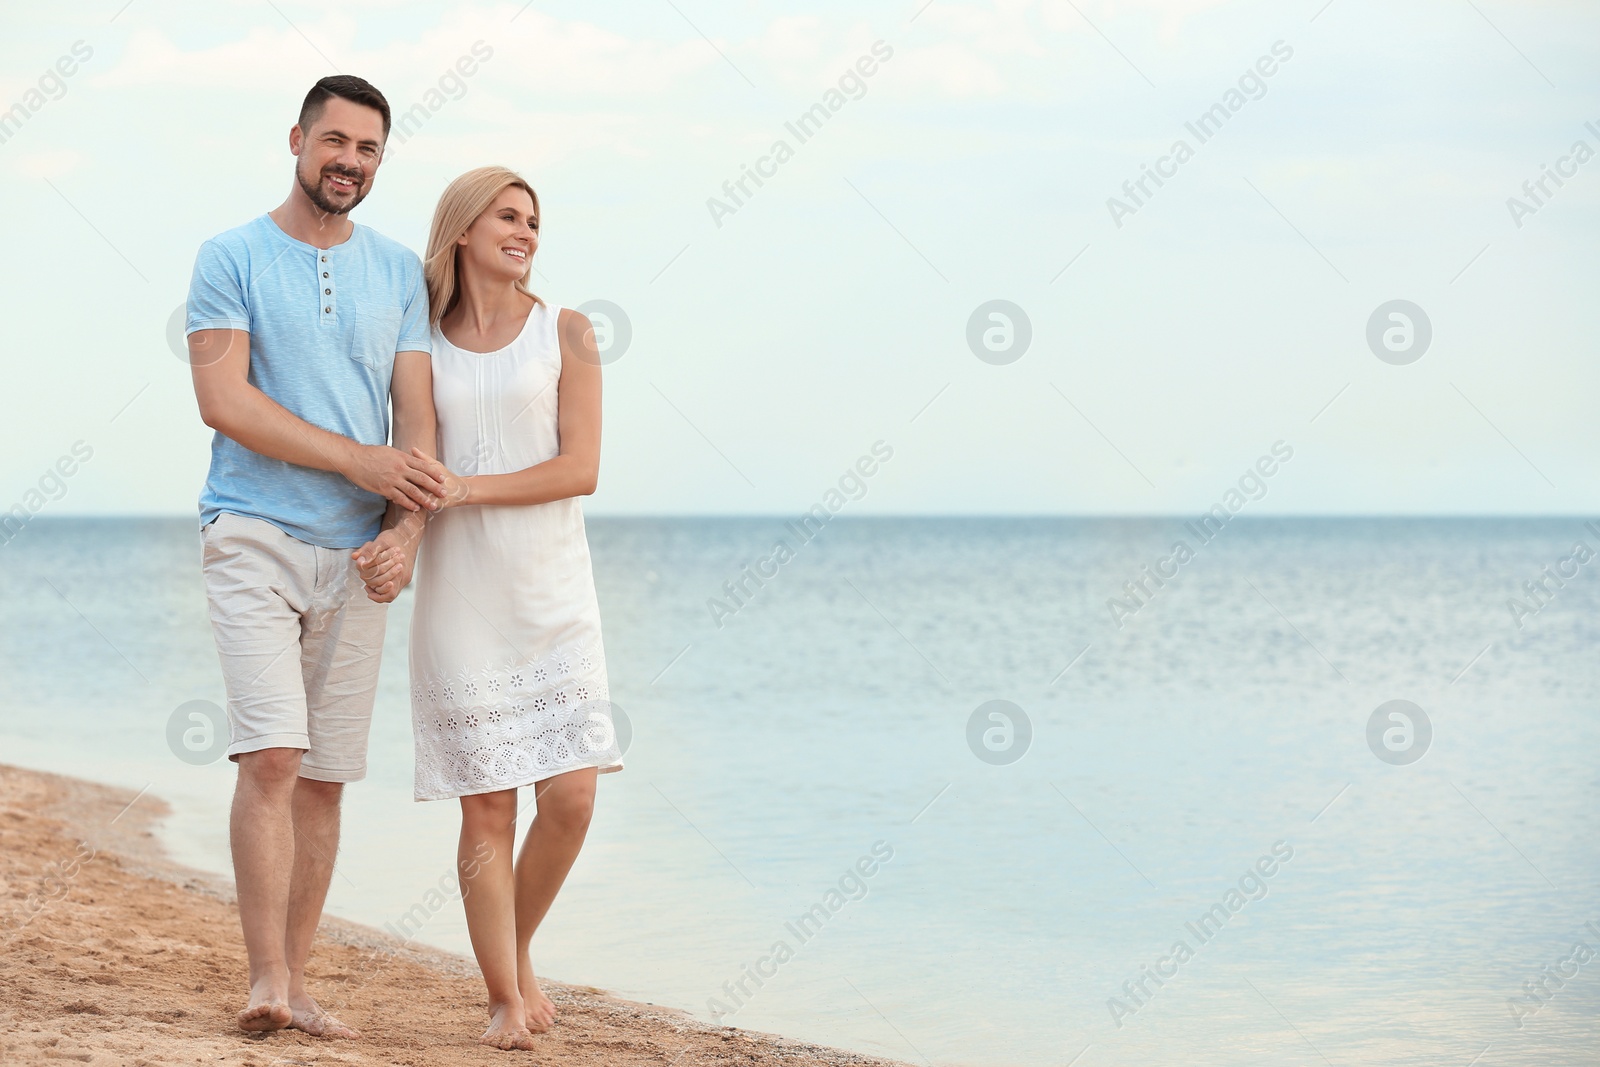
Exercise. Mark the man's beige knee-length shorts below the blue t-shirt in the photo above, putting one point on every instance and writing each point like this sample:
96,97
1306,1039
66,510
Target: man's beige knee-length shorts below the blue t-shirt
300,645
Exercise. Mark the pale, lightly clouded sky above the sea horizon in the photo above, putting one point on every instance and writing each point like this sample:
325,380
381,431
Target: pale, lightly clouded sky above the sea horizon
948,268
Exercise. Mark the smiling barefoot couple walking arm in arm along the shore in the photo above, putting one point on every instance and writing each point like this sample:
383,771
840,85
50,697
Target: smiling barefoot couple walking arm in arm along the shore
305,329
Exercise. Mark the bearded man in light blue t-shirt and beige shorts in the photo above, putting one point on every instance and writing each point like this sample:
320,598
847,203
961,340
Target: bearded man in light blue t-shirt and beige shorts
303,330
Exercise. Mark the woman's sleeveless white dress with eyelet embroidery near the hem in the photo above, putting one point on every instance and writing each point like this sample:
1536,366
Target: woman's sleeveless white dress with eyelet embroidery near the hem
508,671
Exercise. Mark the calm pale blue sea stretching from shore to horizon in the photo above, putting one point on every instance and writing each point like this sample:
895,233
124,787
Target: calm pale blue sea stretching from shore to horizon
1178,841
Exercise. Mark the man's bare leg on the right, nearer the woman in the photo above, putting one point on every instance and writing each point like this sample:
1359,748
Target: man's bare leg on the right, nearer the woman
316,845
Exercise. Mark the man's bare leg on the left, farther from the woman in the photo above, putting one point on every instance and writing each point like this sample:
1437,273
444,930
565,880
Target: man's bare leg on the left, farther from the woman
263,841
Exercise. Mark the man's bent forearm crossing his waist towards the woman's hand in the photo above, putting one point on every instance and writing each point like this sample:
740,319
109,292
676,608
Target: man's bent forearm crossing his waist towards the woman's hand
220,366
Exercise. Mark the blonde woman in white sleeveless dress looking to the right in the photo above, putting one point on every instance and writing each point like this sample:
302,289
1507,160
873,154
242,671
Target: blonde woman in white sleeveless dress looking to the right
508,671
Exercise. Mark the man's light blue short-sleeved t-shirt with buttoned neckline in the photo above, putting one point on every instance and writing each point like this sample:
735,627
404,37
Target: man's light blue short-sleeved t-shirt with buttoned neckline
324,329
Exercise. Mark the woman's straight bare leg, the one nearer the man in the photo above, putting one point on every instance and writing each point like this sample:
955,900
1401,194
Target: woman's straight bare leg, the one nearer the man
484,860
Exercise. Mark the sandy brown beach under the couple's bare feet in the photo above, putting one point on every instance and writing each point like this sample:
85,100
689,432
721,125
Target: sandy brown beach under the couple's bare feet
111,954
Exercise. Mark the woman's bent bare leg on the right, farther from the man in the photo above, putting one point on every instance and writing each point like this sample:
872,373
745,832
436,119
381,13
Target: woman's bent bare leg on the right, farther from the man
566,804
